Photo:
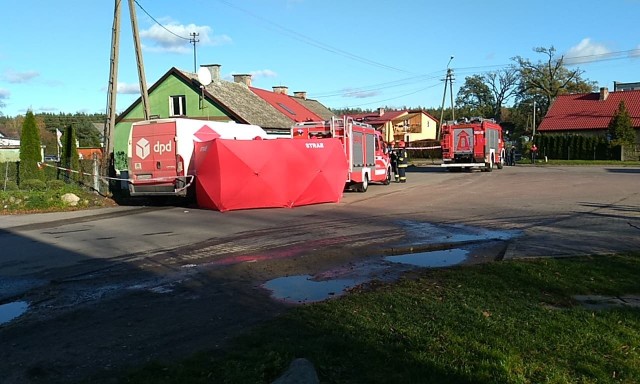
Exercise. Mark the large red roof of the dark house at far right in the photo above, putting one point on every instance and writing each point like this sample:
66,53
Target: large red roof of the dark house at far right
590,113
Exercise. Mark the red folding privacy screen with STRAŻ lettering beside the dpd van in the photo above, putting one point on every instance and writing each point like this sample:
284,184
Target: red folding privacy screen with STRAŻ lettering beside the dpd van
243,174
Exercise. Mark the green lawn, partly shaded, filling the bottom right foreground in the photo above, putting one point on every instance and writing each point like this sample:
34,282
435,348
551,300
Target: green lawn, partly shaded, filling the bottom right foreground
504,322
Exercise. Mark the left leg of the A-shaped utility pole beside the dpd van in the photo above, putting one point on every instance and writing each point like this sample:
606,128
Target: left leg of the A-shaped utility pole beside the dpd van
109,127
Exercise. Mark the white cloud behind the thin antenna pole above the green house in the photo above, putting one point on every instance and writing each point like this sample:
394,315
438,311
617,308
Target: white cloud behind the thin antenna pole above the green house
175,38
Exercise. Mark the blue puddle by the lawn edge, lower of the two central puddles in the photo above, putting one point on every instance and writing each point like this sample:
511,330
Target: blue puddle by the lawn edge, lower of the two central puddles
303,289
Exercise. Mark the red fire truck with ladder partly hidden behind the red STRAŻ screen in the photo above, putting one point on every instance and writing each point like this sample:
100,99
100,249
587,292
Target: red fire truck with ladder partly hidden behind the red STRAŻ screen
366,153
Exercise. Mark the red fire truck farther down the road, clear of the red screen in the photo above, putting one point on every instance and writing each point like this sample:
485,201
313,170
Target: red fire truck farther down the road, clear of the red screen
474,143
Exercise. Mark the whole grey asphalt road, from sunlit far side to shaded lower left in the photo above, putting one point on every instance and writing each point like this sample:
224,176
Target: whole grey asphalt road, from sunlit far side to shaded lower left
86,275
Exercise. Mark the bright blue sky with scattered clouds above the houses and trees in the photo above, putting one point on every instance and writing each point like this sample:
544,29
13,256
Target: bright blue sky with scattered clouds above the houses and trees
54,55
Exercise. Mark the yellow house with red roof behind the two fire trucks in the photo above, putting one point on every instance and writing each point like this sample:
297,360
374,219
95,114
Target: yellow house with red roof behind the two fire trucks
401,125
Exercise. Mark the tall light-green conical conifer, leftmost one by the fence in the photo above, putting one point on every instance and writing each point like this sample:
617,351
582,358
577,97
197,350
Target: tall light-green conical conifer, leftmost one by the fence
30,149
